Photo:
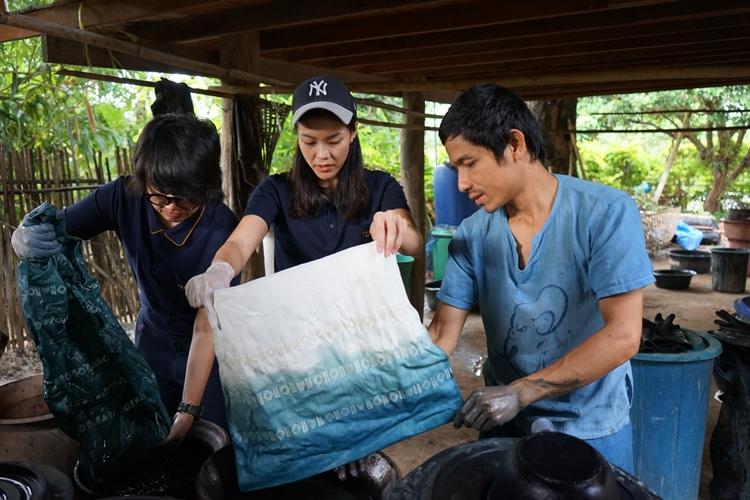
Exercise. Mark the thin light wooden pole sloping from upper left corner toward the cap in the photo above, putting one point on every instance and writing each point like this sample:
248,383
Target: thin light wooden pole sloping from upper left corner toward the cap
86,37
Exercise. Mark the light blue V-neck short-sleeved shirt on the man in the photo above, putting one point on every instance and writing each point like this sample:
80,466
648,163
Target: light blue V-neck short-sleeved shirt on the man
590,247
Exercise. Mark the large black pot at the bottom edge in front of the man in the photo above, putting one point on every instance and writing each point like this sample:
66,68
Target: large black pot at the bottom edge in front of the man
500,468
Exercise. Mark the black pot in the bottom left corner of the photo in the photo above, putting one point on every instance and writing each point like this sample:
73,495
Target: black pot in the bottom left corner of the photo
27,481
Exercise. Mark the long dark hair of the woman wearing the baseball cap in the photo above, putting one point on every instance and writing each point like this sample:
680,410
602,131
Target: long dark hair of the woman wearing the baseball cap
350,195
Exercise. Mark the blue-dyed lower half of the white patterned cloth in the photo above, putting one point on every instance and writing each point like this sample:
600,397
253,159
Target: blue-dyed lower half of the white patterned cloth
290,426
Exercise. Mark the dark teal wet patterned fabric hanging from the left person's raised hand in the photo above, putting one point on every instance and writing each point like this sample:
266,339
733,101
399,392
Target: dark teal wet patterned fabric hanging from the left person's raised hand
96,383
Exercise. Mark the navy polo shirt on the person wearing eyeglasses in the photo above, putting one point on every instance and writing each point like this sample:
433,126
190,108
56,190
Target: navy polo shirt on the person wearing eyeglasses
162,259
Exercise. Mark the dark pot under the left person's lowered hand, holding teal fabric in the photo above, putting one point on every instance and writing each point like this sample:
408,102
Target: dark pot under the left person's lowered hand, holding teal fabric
169,471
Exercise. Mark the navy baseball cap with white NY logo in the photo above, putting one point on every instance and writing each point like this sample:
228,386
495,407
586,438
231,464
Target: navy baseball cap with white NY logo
323,92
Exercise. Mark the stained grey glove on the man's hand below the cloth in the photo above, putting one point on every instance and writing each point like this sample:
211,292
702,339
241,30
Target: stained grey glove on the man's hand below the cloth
489,407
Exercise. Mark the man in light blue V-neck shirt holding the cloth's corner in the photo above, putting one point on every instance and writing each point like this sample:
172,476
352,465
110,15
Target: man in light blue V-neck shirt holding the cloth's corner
557,266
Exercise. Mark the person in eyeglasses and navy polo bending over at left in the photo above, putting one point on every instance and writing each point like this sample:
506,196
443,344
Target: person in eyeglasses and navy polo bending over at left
170,219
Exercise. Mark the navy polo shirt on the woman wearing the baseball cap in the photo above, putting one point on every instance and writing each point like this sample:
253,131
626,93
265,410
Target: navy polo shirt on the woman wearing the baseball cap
300,240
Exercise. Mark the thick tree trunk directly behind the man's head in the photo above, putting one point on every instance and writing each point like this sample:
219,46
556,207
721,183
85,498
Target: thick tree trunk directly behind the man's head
553,117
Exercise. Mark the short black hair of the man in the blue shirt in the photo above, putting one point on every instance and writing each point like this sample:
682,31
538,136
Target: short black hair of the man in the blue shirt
484,116
